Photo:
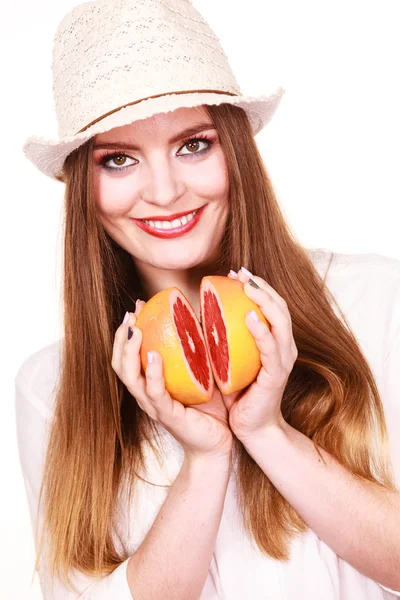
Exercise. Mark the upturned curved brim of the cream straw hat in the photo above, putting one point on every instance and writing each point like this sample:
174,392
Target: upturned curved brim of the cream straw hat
49,155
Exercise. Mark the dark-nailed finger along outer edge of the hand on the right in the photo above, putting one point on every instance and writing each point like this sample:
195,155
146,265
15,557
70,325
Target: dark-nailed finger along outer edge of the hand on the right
279,319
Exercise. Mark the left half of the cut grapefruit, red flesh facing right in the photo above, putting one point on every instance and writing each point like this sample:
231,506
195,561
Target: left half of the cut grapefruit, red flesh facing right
169,325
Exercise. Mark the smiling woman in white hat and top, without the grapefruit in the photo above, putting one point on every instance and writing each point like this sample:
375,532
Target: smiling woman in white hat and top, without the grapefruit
284,490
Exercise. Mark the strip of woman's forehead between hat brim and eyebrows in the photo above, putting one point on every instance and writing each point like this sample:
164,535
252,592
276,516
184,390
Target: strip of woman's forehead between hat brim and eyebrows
160,125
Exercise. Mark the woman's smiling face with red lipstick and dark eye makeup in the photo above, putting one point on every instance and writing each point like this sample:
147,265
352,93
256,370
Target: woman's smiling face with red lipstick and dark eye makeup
150,170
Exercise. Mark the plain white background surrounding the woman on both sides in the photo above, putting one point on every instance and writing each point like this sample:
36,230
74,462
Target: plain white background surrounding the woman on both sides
332,150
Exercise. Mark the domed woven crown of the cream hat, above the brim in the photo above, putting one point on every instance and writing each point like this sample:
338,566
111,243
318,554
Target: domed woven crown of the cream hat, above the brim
110,53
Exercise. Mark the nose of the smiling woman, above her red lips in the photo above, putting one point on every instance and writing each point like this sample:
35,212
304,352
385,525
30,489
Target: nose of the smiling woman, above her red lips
161,184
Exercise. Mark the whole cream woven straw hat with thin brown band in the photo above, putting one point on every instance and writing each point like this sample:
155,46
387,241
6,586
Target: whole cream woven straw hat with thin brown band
118,61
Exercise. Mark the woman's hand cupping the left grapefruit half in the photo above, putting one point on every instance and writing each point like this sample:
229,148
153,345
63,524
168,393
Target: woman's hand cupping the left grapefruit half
202,431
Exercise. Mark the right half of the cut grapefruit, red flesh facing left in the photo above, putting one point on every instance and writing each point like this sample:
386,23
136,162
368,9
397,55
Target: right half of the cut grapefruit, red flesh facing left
234,356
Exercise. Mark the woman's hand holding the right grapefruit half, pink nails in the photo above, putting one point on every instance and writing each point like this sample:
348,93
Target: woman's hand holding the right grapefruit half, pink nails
259,406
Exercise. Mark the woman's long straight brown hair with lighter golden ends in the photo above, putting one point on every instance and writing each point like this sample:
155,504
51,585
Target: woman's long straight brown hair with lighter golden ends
95,440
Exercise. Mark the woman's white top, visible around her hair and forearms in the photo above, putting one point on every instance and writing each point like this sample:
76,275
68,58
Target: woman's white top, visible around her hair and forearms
367,288
